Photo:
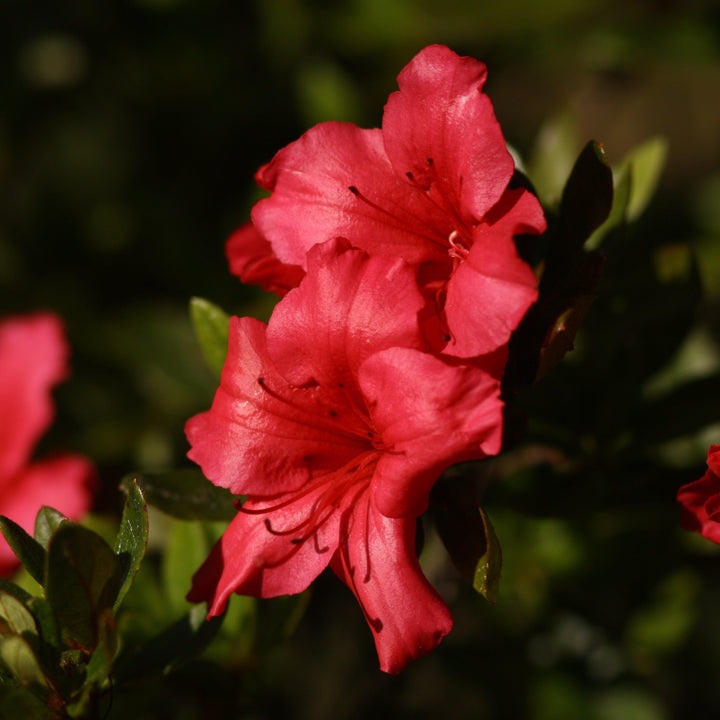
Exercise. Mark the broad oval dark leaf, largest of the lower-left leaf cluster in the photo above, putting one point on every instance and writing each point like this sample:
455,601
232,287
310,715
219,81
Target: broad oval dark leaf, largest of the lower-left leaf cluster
83,579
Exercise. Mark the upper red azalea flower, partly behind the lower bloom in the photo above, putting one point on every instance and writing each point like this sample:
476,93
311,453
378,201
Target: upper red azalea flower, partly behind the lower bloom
430,187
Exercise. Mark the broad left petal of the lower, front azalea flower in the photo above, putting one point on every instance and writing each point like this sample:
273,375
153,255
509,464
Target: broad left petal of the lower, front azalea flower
262,435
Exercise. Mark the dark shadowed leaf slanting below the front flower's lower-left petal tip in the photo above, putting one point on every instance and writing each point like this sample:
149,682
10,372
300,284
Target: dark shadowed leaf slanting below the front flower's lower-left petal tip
182,641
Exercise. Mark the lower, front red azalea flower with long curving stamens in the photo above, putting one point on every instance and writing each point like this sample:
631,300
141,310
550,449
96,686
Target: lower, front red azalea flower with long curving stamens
335,424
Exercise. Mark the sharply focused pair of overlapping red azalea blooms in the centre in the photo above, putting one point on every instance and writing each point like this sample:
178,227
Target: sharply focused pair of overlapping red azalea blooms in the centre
393,251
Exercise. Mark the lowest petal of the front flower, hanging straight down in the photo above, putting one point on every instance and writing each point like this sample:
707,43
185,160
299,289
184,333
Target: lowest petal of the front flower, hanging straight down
377,561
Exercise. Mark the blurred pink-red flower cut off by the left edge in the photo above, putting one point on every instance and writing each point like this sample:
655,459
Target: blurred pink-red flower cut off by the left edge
33,358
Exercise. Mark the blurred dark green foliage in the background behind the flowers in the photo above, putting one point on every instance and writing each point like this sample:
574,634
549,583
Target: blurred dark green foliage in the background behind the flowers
129,133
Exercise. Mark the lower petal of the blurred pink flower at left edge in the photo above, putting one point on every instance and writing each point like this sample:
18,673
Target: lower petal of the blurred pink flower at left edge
65,482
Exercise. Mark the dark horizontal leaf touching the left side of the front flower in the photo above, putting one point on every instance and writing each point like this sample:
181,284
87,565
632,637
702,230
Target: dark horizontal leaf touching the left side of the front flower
185,494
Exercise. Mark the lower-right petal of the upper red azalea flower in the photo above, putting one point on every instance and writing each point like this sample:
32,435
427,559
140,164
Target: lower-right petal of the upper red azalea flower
493,288
